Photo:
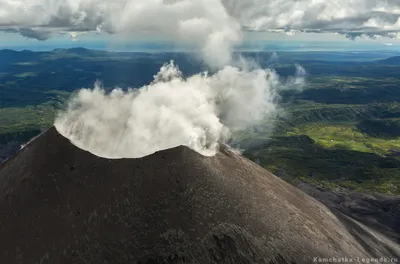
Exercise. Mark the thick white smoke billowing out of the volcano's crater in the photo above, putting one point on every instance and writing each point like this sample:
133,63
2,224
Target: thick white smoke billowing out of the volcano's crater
200,112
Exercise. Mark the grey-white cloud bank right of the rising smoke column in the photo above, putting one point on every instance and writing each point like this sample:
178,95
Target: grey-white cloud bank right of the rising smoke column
318,15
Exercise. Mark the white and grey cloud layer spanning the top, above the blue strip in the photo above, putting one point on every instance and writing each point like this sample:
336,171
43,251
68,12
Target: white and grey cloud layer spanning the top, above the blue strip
218,18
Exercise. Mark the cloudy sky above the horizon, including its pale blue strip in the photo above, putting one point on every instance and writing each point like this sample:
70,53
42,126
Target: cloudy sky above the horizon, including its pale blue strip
209,25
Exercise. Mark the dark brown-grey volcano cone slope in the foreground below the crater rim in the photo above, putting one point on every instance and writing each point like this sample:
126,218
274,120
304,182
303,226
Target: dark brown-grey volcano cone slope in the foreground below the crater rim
60,204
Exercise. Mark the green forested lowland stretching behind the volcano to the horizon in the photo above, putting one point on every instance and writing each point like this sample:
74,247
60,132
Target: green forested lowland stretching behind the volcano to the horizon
342,130
